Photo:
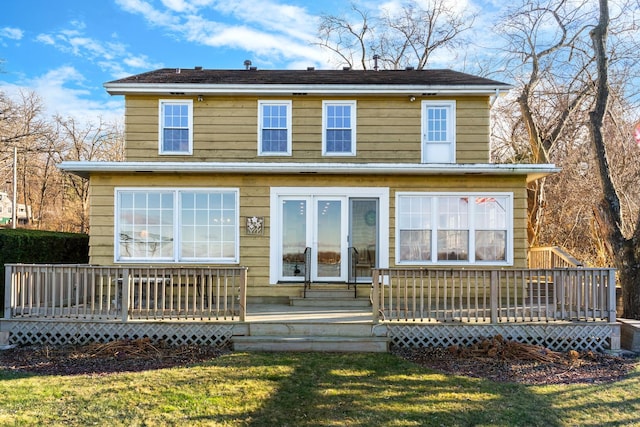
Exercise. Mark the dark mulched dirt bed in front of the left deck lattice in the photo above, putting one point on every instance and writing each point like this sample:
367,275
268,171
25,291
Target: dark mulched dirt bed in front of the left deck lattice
99,359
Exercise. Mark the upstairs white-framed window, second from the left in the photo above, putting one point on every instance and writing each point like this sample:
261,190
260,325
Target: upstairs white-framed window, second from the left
274,128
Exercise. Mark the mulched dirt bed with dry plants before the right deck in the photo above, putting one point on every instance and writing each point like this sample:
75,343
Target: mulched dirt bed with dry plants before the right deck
507,361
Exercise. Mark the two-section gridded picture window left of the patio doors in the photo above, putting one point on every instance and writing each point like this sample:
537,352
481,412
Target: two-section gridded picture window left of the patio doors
177,225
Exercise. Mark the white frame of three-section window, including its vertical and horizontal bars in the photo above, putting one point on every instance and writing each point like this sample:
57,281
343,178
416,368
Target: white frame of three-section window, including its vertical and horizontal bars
473,226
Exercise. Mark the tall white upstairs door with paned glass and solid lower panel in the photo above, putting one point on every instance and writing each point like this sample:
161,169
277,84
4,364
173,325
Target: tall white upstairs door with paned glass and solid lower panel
438,131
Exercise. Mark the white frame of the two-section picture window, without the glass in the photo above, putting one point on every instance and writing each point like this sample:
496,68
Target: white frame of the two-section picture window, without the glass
177,222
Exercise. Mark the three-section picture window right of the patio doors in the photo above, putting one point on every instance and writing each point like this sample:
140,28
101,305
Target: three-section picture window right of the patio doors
453,228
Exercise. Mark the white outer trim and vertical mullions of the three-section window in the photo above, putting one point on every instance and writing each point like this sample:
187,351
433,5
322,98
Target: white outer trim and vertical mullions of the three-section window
471,226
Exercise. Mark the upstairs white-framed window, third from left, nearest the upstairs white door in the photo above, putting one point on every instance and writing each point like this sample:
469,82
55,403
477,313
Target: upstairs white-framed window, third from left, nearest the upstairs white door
339,128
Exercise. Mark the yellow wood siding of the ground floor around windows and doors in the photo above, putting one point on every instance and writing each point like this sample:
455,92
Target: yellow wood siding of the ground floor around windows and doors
254,201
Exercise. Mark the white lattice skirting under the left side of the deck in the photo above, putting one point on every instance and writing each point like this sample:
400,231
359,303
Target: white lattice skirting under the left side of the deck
63,333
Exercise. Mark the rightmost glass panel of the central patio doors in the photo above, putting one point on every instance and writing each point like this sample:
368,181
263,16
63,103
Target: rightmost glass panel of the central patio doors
363,237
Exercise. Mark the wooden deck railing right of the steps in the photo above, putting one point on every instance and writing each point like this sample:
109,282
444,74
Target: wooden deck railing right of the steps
506,295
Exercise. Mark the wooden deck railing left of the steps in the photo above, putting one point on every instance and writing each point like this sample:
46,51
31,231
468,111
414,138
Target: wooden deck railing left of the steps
124,293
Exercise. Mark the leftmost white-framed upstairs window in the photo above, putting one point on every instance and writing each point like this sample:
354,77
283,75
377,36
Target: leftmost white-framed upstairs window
176,126
